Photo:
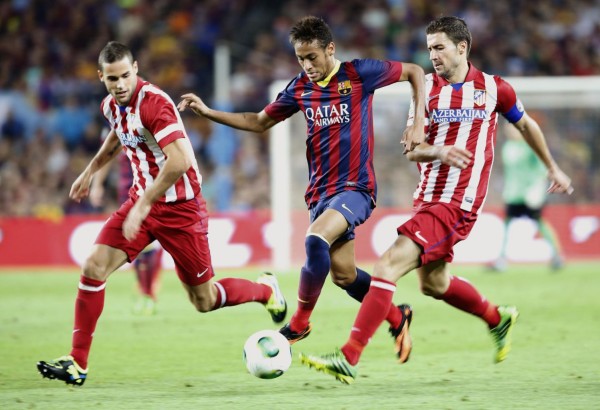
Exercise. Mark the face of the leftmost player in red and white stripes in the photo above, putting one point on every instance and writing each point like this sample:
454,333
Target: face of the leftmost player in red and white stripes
120,79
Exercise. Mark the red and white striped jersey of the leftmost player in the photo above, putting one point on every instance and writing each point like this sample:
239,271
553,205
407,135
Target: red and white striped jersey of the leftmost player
146,125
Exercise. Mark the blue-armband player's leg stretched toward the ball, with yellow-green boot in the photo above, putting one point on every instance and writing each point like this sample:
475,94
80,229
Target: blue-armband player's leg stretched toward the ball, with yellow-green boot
399,259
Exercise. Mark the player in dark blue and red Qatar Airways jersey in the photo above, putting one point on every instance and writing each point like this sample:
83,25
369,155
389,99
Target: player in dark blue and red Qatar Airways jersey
336,100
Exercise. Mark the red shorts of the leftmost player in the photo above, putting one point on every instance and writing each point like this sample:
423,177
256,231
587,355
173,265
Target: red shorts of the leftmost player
181,228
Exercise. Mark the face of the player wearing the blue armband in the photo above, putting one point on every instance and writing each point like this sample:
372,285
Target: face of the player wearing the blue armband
446,56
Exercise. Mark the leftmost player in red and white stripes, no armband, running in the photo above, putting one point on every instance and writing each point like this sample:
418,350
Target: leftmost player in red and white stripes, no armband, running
165,204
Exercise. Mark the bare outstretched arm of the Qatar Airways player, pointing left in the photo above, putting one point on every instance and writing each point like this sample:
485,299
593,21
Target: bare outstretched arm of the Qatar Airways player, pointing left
248,121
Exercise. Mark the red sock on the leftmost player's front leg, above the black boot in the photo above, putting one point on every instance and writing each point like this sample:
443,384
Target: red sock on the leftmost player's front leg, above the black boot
88,307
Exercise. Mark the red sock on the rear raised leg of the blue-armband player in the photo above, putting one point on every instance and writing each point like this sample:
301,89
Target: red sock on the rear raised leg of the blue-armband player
462,295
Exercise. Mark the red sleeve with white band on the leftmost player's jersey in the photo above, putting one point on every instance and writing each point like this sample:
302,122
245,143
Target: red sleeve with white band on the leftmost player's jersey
159,117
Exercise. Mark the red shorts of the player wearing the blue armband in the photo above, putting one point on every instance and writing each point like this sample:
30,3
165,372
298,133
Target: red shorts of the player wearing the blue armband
436,227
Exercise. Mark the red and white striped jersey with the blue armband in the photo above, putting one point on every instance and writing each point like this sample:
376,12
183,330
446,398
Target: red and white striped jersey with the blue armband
464,115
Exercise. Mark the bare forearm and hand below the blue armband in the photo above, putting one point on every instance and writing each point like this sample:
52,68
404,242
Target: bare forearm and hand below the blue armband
534,136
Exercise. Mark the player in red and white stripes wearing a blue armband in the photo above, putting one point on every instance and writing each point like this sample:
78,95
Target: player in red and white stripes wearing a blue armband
455,161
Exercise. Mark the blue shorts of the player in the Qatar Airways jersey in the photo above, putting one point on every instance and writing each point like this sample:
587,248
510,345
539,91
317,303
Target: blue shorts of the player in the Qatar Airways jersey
356,206
